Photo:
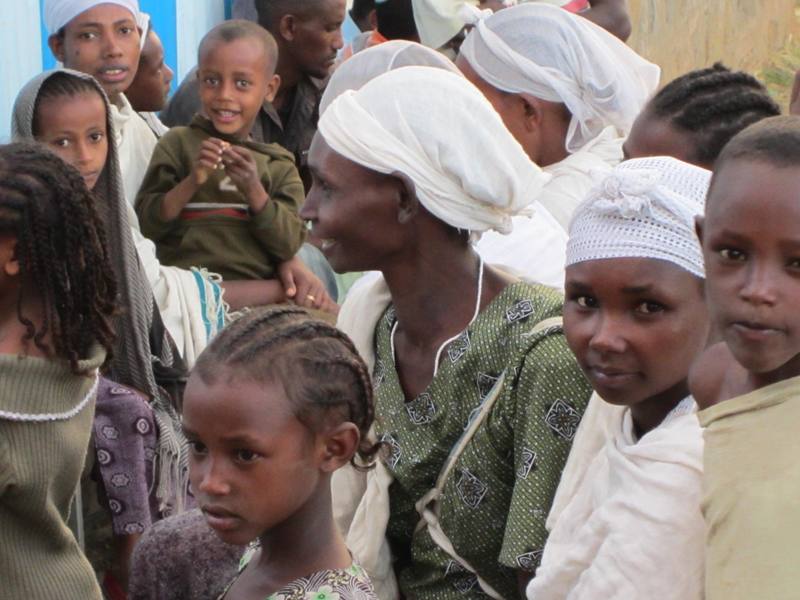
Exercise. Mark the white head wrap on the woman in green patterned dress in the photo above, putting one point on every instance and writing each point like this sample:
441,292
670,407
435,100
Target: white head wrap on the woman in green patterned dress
441,132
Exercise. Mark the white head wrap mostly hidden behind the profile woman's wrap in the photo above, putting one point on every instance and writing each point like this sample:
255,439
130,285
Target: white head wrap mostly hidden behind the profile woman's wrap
366,65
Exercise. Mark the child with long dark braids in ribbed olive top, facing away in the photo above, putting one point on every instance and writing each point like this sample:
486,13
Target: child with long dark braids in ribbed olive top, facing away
57,293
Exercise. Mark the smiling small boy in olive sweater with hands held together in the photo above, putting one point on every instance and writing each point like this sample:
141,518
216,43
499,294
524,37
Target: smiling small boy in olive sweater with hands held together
211,197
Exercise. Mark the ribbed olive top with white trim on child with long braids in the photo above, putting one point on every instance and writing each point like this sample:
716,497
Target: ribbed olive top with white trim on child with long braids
42,450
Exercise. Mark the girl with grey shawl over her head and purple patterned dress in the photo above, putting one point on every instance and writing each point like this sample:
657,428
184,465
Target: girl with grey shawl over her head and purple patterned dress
67,111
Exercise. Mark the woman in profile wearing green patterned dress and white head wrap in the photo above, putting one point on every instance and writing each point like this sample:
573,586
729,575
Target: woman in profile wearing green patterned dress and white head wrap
477,395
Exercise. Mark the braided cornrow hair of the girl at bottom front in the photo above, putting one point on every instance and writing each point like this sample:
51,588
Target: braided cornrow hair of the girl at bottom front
317,365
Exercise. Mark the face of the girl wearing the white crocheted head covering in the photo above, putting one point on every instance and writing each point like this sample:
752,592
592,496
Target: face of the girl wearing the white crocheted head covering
635,326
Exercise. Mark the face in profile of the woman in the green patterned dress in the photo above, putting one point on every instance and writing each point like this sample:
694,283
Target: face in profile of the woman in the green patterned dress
354,213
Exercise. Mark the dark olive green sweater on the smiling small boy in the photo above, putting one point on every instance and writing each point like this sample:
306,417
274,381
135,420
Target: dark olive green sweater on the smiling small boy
216,230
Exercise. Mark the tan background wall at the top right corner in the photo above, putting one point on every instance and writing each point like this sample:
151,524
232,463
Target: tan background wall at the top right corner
681,35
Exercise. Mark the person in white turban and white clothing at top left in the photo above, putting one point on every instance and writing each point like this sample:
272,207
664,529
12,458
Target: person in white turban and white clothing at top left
118,23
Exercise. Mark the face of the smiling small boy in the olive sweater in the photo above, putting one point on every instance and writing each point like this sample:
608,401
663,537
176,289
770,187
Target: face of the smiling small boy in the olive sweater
235,79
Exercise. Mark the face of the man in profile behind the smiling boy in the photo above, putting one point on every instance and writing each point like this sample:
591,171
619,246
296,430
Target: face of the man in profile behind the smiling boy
317,39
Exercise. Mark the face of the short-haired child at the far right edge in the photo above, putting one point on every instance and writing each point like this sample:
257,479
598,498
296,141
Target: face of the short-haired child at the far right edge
751,247
